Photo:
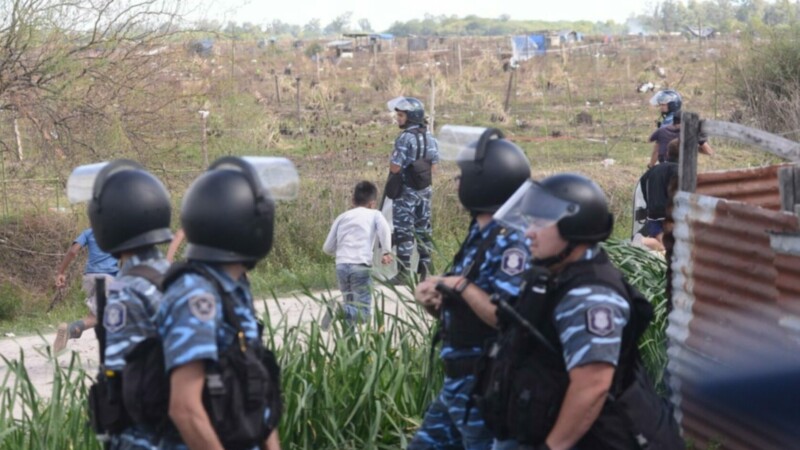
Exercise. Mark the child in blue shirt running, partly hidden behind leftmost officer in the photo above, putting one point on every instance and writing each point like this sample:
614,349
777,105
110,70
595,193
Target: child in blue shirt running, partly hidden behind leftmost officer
98,264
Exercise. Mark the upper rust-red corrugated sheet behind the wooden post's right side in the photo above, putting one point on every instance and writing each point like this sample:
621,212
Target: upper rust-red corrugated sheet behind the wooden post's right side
757,186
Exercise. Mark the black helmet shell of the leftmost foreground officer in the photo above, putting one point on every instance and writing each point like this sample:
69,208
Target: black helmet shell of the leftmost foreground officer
129,208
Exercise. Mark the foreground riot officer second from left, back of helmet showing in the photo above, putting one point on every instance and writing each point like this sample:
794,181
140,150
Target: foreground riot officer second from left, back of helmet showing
224,385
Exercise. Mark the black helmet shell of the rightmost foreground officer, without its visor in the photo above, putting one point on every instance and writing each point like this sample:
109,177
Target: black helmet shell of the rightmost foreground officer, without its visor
591,222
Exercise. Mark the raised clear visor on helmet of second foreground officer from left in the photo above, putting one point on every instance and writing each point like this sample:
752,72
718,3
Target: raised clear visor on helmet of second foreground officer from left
278,175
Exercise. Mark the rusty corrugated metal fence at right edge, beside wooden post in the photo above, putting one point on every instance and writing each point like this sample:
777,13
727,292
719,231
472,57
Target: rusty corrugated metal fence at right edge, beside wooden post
736,300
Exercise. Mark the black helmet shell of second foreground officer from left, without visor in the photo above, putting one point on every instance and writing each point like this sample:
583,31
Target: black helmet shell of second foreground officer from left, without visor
228,215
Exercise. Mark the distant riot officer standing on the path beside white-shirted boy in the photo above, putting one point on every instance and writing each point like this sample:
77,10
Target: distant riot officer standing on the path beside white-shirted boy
411,168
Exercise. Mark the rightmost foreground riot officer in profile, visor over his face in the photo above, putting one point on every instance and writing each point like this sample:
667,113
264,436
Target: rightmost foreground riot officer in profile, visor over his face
566,372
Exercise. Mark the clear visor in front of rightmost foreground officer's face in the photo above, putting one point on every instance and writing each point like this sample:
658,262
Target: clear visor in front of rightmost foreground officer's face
533,206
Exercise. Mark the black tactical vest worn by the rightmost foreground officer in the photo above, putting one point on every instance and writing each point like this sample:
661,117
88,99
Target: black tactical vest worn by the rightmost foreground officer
522,379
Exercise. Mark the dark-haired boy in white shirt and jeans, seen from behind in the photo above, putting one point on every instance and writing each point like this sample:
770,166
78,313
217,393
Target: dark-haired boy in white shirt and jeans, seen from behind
351,240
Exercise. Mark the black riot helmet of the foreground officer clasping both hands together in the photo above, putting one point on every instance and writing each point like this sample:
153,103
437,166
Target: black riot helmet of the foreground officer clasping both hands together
491,171
